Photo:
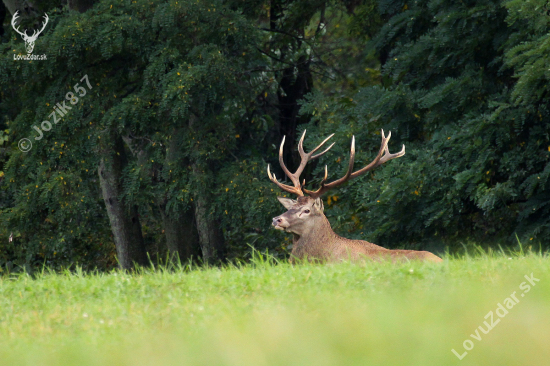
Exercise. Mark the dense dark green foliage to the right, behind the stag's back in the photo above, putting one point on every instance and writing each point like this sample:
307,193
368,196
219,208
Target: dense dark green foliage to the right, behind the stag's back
467,96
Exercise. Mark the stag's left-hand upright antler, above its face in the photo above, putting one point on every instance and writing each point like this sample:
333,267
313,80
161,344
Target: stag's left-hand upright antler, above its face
305,157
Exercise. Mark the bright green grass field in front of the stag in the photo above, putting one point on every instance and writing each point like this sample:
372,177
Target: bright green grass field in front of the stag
265,314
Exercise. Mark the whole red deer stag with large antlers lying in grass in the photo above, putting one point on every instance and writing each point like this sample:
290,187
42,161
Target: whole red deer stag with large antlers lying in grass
314,239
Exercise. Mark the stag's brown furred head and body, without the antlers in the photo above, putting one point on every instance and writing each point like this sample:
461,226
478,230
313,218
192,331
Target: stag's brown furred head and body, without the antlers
314,238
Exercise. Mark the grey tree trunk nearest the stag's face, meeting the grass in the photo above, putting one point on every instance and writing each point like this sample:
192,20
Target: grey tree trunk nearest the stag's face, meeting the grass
210,234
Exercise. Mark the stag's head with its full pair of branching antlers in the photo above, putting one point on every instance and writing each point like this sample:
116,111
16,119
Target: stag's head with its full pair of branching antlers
304,214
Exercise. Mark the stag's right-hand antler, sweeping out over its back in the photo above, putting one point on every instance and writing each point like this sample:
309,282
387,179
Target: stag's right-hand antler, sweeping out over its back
382,157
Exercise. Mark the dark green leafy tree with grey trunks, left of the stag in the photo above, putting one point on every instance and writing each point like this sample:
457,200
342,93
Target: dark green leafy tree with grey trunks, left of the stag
165,91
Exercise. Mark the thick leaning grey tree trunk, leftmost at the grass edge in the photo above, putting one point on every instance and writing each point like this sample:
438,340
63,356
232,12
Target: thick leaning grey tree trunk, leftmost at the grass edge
125,223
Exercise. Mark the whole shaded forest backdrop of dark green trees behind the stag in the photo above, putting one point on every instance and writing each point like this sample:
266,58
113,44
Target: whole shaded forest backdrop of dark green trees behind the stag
167,151
